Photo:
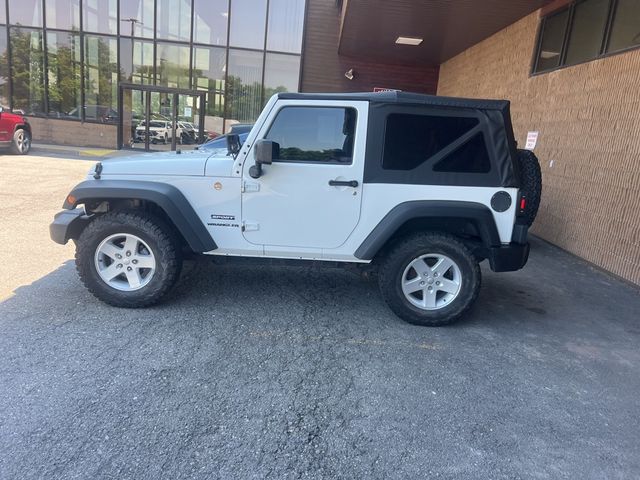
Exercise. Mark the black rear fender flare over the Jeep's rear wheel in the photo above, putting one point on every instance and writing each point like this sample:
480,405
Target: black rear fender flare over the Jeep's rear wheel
476,213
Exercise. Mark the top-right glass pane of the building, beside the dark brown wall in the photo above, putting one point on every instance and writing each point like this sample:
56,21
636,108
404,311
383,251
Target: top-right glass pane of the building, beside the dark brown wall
286,20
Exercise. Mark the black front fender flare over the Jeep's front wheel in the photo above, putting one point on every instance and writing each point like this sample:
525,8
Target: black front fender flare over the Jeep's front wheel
167,197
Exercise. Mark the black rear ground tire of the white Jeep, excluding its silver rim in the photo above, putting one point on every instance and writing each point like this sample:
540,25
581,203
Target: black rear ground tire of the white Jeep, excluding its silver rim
390,276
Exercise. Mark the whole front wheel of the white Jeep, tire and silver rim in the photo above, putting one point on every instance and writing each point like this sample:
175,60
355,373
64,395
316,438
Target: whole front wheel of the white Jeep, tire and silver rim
128,259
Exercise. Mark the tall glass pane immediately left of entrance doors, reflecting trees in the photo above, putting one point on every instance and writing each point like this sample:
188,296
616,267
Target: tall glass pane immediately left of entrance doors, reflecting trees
100,78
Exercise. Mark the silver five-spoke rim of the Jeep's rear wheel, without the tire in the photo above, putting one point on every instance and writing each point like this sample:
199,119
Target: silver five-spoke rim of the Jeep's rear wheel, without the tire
431,281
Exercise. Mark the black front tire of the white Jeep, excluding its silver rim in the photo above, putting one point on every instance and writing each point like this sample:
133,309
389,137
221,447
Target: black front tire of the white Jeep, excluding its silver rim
160,238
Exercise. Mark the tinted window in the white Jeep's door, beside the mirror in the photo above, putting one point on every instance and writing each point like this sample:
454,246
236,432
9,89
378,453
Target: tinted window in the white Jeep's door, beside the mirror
314,134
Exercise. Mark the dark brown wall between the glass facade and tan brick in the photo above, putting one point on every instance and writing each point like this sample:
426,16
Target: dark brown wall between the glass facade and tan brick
323,69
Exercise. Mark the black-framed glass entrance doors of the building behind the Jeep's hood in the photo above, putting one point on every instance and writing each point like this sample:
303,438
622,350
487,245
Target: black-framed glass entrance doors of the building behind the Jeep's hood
160,119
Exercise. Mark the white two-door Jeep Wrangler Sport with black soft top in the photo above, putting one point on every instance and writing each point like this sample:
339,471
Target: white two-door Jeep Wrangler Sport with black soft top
421,187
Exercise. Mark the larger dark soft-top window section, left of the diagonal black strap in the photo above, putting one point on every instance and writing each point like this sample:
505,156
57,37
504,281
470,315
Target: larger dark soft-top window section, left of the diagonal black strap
410,140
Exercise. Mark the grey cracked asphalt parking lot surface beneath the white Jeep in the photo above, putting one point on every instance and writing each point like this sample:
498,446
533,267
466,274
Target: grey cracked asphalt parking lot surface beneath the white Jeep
290,372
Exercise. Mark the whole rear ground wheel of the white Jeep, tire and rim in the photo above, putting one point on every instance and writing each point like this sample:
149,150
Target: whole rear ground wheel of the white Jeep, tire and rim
430,279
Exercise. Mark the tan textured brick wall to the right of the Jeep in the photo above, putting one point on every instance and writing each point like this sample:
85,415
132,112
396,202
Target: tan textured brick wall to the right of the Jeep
588,117
